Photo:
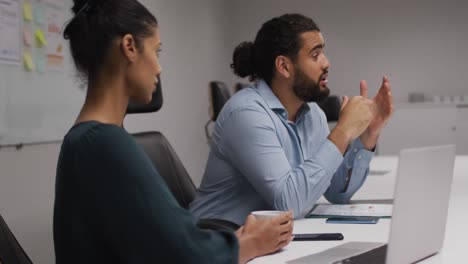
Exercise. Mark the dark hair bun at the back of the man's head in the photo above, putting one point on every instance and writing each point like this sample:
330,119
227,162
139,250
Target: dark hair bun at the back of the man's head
242,59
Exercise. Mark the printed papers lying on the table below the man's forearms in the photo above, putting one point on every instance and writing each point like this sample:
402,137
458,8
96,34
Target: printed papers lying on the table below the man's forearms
331,210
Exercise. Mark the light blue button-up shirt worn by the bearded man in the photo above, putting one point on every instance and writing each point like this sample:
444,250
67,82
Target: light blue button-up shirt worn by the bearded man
261,161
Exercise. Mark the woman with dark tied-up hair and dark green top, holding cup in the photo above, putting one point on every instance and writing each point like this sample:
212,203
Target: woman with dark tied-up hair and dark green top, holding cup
111,205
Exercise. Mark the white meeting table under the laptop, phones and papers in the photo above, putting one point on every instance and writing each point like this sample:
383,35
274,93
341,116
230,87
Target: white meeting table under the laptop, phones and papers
455,248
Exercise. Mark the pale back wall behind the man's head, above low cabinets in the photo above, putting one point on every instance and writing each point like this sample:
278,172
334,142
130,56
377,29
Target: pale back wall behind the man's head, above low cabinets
420,44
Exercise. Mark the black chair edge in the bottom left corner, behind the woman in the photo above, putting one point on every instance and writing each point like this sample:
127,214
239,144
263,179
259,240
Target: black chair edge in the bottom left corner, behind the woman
11,251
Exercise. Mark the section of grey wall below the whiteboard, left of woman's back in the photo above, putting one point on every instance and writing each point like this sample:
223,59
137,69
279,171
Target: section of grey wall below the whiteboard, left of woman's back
27,180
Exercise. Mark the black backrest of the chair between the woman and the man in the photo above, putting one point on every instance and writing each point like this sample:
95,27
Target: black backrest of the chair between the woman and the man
168,165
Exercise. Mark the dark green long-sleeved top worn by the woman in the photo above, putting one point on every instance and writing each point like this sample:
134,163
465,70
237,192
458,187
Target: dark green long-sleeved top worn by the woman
112,206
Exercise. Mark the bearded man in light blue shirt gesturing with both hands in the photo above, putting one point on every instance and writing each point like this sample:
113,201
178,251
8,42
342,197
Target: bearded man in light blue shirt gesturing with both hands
271,146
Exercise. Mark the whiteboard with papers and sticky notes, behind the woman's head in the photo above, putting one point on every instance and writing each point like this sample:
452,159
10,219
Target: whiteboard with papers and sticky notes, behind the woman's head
38,106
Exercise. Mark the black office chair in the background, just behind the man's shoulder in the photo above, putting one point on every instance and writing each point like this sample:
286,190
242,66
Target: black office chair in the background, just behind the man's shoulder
219,94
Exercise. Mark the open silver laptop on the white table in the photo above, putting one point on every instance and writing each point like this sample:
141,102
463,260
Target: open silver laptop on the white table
421,200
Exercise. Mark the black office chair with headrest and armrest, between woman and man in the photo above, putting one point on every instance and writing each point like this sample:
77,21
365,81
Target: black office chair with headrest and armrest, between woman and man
168,164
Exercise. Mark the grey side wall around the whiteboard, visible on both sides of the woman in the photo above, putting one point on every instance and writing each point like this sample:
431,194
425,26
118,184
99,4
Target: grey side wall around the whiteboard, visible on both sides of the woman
193,48
